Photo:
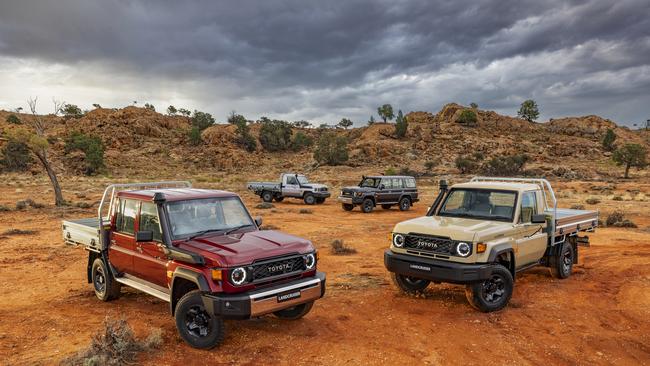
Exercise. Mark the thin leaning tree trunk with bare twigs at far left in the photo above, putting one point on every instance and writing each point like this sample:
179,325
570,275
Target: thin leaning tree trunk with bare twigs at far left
39,147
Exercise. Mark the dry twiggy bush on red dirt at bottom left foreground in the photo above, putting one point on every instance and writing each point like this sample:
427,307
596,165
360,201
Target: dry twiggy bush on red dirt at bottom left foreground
115,345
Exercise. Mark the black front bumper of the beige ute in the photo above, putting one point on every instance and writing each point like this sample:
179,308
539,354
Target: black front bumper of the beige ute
436,270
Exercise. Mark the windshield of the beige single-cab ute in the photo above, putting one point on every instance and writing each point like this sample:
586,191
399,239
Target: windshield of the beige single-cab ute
483,204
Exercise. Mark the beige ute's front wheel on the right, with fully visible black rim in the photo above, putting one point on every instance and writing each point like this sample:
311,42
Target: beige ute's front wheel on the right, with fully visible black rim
492,294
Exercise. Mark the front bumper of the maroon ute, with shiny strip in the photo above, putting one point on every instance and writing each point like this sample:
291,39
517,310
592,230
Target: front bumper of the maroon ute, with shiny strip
264,301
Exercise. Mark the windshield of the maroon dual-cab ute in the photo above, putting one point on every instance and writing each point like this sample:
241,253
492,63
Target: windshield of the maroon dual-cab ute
213,214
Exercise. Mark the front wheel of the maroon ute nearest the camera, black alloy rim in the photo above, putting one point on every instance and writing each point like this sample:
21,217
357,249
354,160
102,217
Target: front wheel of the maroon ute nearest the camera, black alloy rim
198,328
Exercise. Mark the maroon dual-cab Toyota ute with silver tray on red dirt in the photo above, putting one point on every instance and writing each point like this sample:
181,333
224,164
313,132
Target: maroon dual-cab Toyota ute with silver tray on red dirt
201,251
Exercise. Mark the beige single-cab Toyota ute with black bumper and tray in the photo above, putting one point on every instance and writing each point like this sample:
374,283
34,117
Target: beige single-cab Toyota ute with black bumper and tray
482,233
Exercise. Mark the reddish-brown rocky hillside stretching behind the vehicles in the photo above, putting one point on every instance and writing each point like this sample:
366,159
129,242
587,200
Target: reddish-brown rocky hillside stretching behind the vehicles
140,140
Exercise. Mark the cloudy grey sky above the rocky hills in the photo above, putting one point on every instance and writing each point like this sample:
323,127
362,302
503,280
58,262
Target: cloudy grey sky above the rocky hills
324,60
